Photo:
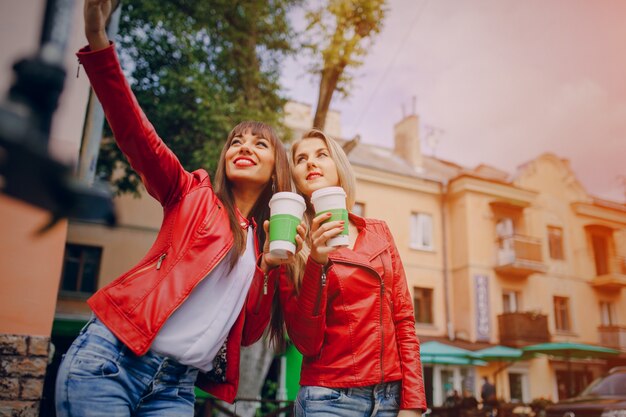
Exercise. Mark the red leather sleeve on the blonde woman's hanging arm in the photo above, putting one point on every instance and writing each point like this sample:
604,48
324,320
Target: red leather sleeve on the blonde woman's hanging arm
413,395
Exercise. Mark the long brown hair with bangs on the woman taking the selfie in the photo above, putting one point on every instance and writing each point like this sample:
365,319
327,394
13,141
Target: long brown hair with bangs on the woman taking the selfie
280,180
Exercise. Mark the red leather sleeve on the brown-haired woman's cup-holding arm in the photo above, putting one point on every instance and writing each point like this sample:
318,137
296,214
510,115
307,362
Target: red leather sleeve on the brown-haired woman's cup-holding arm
259,305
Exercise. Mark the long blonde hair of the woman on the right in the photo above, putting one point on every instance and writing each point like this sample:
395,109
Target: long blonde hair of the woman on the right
347,181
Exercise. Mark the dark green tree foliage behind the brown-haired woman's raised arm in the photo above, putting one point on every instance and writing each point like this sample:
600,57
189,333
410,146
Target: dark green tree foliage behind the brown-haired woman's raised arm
198,68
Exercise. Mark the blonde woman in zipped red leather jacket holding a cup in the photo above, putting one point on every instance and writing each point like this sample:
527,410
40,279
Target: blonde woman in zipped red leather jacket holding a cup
348,310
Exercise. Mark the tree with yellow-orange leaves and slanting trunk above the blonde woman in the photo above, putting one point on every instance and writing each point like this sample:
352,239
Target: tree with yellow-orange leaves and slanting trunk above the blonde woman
342,32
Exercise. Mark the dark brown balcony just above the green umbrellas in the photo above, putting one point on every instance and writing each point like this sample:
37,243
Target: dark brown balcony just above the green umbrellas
523,328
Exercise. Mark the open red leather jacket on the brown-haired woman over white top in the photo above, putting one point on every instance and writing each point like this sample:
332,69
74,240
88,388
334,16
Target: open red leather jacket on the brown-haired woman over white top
194,237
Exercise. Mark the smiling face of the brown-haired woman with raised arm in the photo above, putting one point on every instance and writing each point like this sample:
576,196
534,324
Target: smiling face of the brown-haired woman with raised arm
249,160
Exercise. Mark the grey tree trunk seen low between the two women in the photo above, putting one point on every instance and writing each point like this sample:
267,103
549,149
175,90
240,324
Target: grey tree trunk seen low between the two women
255,362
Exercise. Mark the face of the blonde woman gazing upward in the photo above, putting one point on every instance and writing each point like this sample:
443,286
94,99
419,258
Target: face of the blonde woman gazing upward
313,167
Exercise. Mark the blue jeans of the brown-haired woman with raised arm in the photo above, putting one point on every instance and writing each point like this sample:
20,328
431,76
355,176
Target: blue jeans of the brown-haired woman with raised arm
99,376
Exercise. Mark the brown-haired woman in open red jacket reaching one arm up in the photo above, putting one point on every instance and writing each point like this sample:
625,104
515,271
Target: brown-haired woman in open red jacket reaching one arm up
179,316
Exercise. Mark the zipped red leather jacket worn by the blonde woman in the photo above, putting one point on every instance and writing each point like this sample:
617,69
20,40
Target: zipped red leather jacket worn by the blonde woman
357,328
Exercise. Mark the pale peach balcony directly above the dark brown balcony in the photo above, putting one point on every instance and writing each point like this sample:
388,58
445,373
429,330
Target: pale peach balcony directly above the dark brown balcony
519,256
